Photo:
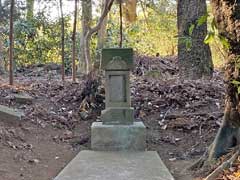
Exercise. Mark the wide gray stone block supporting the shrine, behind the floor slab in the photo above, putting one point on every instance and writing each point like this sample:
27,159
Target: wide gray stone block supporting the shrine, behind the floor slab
118,137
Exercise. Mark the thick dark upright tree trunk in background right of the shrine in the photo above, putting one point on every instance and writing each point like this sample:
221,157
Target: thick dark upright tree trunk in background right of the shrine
195,62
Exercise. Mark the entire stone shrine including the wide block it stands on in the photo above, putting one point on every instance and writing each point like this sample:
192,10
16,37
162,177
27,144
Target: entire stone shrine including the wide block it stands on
117,131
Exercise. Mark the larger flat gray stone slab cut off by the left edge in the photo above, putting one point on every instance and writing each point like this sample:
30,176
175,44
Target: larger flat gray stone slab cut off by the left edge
9,115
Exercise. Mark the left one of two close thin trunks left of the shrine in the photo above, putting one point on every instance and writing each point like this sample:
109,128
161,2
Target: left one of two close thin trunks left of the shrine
62,42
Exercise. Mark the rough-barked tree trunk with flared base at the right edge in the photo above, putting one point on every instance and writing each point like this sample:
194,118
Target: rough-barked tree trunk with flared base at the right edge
227,16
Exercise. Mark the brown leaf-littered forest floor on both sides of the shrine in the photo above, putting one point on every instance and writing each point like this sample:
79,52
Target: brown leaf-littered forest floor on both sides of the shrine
182,117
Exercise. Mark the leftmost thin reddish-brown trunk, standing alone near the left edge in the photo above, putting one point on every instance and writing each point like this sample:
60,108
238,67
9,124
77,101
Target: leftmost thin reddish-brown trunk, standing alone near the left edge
11,46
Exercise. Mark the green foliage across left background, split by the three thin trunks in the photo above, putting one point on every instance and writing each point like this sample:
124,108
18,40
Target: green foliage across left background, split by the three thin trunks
37,41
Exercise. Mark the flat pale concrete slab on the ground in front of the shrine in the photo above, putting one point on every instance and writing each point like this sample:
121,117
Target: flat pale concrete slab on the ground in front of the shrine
92,165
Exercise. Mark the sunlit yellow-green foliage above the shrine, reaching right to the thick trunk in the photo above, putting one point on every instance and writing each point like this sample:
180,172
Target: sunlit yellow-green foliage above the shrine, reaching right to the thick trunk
153,32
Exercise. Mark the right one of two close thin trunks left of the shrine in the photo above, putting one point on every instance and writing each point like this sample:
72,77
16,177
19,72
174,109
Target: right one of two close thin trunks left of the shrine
74,43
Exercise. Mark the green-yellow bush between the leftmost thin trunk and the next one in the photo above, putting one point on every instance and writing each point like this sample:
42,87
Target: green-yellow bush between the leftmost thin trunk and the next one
36,41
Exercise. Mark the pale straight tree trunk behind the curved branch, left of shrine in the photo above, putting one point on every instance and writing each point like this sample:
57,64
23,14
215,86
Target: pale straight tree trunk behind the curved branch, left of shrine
86,23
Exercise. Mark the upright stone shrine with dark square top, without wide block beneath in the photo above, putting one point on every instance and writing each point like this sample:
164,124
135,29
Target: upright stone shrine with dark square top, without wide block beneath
117,64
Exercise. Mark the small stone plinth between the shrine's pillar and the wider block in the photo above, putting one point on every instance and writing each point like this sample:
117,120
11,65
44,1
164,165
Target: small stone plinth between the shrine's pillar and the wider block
114,116
